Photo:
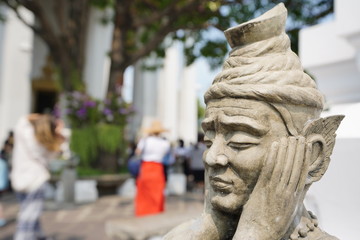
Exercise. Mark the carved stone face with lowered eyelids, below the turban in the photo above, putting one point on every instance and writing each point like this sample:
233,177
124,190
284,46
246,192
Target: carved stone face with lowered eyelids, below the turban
238,134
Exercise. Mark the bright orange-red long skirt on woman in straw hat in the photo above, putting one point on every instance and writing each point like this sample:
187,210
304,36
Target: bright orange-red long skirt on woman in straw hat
150,184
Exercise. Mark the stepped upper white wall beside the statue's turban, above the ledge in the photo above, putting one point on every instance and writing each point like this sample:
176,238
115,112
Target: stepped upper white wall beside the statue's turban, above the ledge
331,52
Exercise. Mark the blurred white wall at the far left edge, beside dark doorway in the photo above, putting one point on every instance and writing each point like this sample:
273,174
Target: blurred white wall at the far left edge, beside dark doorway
15,70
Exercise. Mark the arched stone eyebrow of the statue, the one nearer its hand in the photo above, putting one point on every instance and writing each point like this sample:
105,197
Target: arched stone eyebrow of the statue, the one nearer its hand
246,124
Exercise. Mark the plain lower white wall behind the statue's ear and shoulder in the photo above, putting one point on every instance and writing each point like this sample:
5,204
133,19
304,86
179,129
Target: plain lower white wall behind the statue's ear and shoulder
337,194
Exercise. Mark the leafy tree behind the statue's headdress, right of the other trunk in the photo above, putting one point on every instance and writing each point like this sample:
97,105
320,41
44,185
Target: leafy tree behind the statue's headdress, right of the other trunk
142,25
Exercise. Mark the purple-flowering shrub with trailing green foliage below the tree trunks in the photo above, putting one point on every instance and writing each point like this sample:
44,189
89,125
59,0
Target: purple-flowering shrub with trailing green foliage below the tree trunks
97,126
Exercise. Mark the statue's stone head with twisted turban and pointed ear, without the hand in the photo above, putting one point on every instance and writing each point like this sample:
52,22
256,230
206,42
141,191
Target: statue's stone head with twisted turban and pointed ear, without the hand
261,95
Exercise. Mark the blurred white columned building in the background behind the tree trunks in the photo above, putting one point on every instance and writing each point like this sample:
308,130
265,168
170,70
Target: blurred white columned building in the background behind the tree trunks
168,95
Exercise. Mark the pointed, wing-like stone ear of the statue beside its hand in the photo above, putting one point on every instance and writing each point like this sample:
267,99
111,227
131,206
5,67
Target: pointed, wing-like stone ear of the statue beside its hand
321,134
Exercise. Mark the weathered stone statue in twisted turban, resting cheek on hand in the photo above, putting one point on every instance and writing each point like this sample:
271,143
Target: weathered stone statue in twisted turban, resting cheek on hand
266,142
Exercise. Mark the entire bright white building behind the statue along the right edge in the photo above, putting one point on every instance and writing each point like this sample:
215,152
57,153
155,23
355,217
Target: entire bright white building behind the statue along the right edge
331,53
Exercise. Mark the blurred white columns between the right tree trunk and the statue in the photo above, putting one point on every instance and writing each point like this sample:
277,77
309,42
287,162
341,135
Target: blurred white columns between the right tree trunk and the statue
169,95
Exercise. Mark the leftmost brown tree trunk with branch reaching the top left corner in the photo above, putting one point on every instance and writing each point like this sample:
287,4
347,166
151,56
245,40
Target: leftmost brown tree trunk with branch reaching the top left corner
63,29
